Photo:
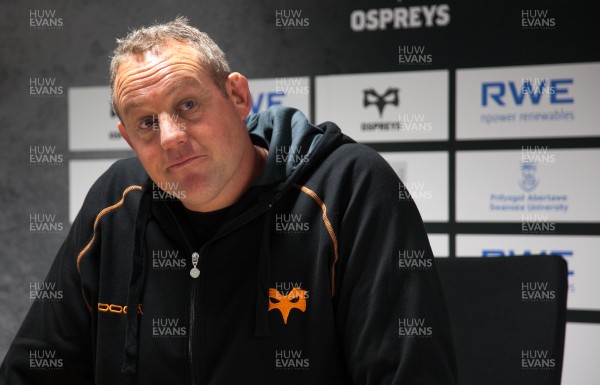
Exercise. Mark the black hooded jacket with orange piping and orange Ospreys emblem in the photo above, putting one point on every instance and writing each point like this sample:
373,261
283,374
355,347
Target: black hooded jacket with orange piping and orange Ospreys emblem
321,273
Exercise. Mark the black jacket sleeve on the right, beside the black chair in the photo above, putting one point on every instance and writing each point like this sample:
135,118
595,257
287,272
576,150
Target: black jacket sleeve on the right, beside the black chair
391,312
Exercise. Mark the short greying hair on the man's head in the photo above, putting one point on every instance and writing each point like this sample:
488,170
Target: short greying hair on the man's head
146,39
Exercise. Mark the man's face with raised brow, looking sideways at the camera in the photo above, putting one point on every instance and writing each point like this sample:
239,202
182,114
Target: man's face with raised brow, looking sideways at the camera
187,134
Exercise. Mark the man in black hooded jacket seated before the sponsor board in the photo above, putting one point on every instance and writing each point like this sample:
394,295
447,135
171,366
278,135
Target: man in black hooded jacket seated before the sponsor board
234,249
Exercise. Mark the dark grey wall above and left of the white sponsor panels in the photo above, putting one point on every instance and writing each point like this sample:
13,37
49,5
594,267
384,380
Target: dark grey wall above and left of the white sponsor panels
76,54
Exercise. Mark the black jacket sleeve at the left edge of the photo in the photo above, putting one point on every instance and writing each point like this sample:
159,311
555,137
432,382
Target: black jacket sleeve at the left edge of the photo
54,343
